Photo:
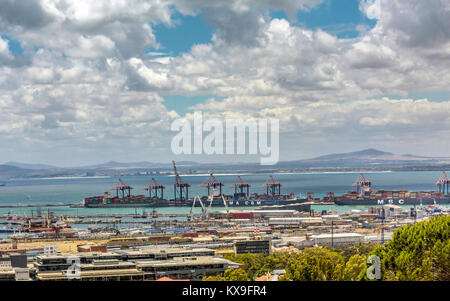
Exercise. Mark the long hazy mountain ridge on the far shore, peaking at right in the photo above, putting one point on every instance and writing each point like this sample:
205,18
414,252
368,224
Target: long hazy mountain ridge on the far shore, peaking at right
367,158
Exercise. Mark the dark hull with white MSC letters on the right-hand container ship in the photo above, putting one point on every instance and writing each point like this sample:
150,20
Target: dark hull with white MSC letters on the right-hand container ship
400,202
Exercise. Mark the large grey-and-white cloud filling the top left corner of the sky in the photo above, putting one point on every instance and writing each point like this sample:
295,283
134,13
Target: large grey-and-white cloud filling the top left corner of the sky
86,28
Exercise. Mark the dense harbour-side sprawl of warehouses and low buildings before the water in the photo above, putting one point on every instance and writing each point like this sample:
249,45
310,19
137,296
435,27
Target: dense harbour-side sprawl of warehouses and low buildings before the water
202,237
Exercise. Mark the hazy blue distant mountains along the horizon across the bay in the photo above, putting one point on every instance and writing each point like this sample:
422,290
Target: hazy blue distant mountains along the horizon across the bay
372,159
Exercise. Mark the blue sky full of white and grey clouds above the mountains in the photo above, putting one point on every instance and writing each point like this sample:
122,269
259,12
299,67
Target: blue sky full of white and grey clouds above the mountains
84,82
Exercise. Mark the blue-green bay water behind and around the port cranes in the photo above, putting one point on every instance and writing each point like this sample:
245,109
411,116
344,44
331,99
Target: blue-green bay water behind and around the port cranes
74,190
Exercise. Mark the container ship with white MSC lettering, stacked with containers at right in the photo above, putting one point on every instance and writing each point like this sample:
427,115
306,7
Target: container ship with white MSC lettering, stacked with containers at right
364,195
